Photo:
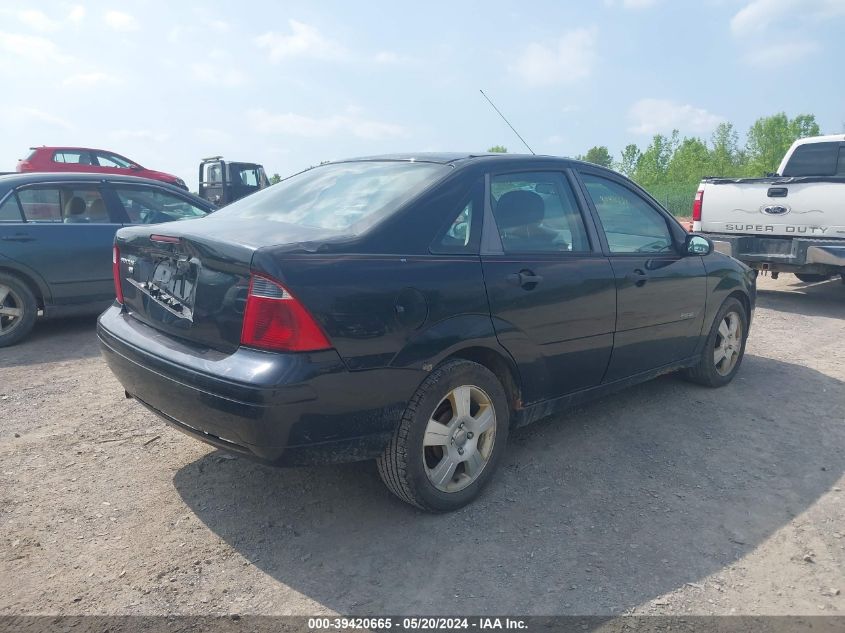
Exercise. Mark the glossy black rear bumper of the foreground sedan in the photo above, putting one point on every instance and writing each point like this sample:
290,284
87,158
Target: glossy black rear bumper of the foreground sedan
275,408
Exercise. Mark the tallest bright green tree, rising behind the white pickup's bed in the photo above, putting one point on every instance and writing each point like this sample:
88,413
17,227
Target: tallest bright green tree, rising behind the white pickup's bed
769,138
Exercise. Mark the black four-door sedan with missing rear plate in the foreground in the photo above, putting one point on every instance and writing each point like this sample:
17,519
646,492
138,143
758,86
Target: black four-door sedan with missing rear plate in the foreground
414,309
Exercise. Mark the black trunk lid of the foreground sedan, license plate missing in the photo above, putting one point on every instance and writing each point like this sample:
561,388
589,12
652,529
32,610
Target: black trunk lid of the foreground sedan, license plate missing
191,279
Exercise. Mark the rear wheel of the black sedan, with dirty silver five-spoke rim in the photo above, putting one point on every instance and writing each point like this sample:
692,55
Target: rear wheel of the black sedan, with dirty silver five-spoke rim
450,438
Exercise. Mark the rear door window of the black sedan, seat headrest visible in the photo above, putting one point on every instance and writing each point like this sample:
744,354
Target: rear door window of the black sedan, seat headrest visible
537,212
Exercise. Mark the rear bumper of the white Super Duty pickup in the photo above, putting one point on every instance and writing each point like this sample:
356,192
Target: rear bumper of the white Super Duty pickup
782,253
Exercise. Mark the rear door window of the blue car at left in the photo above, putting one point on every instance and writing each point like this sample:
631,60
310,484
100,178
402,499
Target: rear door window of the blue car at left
67,204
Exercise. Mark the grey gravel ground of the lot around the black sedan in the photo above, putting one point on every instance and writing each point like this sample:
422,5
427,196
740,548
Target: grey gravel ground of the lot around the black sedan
667,498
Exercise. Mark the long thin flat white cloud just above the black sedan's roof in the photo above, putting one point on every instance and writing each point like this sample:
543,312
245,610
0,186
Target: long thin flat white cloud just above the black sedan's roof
315,127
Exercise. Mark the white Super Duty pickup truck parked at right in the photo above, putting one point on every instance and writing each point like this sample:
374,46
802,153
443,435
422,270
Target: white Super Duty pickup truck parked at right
790,222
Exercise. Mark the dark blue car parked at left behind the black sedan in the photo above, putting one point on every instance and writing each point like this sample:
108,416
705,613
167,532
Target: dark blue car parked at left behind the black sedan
56,235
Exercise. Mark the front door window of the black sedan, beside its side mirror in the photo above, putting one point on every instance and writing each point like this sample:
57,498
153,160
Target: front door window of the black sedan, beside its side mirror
630,224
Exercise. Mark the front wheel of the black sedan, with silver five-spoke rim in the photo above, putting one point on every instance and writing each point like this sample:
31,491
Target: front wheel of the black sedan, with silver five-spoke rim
711,371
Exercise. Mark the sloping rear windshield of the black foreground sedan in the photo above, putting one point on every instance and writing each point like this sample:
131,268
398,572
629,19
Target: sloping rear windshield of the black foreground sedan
348,197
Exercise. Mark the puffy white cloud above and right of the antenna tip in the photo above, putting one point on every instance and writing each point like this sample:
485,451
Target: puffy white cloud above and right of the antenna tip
569,59
